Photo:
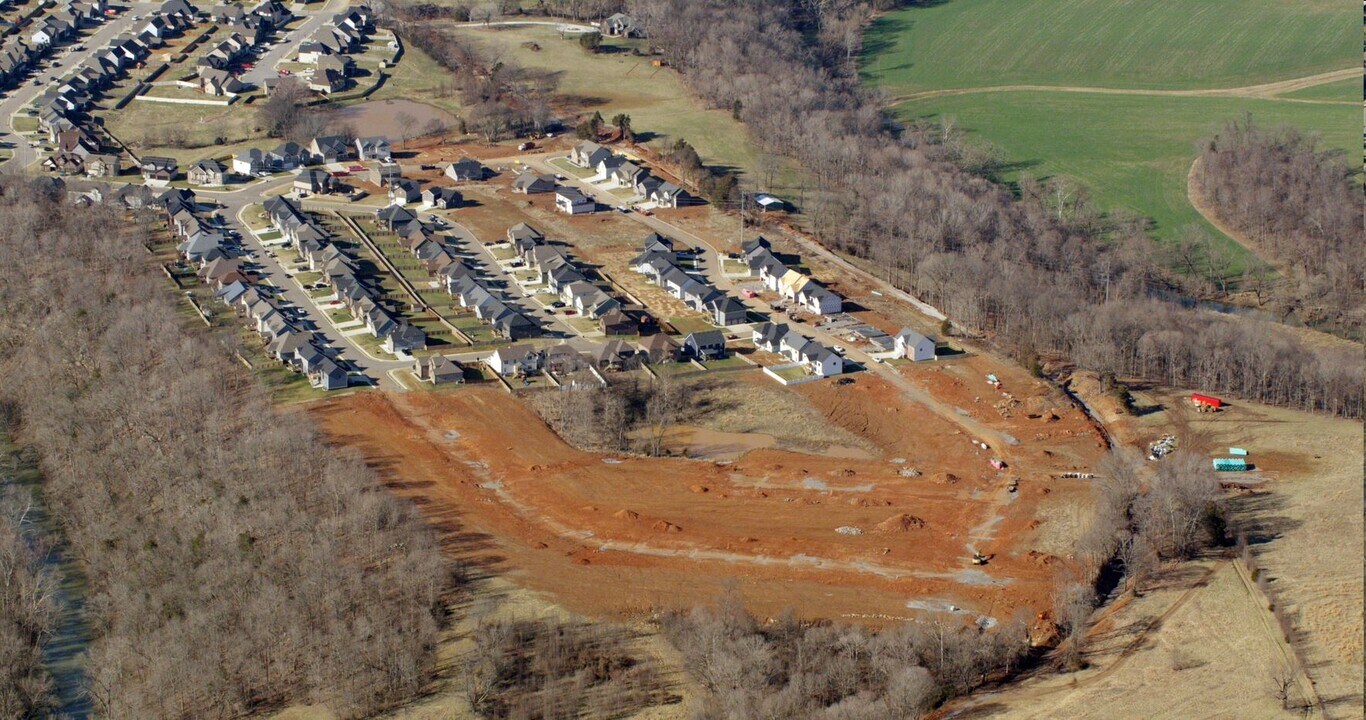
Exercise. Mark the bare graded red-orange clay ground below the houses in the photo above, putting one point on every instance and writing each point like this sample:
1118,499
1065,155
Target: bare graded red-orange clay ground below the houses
617,536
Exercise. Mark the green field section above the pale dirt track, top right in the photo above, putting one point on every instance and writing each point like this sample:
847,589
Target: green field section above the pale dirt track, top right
1110,43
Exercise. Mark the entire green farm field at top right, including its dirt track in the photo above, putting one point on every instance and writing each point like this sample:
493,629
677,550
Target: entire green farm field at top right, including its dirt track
1118,96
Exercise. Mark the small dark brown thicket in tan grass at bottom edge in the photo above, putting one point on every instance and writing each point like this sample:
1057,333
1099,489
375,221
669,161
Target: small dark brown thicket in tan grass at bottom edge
548,670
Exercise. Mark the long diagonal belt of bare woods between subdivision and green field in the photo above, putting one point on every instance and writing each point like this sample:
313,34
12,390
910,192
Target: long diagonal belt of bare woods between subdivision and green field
1029,273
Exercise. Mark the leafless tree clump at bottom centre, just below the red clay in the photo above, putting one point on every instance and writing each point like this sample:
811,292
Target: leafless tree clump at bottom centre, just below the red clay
819,670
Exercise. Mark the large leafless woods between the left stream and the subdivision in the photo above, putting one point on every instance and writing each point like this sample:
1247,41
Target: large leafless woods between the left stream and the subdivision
236,562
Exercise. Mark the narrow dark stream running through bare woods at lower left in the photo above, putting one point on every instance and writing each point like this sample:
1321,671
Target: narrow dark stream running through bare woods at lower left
65,654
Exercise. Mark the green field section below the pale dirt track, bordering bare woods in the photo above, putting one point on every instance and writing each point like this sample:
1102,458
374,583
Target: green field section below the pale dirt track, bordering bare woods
1130,151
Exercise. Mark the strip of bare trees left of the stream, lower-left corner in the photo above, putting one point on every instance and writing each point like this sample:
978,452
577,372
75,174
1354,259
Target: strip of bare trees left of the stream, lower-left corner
28,609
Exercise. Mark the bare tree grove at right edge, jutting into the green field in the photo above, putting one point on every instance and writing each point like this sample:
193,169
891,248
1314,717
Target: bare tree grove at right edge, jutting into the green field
1304,207
